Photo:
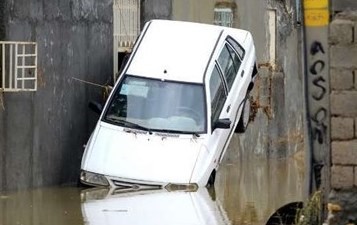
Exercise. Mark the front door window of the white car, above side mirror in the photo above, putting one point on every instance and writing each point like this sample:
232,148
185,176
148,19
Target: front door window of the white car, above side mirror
218,94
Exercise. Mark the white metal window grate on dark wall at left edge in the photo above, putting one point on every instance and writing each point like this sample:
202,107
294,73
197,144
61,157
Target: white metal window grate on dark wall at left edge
18,66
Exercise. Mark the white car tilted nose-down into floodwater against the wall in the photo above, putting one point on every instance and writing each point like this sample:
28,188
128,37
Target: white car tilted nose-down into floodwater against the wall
176,104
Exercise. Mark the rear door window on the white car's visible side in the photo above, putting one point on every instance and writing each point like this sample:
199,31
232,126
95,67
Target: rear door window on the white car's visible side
229,63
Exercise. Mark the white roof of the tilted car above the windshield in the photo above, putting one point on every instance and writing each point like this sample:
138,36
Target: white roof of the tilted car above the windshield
177,50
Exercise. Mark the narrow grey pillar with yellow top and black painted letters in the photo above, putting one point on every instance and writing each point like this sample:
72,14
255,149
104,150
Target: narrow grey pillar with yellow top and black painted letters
316,18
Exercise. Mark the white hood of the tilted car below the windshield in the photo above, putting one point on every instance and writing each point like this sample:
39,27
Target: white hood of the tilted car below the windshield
112,151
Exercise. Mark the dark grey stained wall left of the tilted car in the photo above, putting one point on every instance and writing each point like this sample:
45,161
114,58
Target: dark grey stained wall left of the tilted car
42,133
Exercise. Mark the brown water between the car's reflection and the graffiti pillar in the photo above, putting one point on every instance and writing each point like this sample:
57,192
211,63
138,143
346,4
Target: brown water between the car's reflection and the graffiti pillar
252,190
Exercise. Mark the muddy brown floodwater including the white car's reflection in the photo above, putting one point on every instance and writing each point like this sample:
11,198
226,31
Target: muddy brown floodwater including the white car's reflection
246,192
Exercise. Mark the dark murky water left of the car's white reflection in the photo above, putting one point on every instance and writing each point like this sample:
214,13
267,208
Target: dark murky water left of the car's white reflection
55,206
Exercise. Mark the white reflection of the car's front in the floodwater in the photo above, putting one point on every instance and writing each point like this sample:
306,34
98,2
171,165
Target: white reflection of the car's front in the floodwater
152,208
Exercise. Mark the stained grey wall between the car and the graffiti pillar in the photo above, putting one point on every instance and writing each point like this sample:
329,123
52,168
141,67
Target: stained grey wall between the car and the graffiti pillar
278,129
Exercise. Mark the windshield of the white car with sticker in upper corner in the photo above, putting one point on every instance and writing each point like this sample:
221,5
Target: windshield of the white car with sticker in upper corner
158,105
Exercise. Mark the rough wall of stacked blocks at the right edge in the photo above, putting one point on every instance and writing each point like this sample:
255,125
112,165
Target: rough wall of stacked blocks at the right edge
343,72
